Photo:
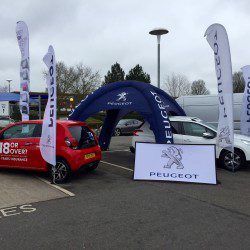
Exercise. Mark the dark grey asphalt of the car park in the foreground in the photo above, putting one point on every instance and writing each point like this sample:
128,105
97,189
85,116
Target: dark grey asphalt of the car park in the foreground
111,211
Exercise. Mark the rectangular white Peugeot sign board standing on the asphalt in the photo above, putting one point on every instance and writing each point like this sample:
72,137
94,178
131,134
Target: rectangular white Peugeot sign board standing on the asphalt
171,162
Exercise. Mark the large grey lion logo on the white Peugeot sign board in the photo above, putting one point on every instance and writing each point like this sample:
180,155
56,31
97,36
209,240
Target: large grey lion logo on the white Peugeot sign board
174,155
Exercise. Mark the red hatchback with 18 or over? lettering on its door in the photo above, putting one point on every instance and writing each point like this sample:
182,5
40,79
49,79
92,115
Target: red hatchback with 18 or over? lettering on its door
77,147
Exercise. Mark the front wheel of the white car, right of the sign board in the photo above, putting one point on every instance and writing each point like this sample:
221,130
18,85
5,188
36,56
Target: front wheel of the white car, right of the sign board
232,162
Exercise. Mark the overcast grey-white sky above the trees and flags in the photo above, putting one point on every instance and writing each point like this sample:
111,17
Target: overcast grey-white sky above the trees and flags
99,33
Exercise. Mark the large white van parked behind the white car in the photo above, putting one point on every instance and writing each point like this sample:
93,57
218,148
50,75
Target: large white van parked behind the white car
206,107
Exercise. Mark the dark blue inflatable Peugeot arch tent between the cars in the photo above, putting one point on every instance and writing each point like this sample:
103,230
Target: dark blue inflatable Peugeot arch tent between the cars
120,98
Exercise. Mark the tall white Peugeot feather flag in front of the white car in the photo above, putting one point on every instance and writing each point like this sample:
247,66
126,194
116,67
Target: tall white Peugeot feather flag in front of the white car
217,38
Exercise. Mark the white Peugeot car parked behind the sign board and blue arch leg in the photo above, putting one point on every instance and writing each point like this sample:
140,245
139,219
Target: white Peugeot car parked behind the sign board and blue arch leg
189,130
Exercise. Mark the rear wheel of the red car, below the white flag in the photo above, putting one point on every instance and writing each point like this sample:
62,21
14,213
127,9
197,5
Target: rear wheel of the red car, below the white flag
61,173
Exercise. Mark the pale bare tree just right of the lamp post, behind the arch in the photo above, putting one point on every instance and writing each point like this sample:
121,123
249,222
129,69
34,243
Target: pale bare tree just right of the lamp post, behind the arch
177,85
